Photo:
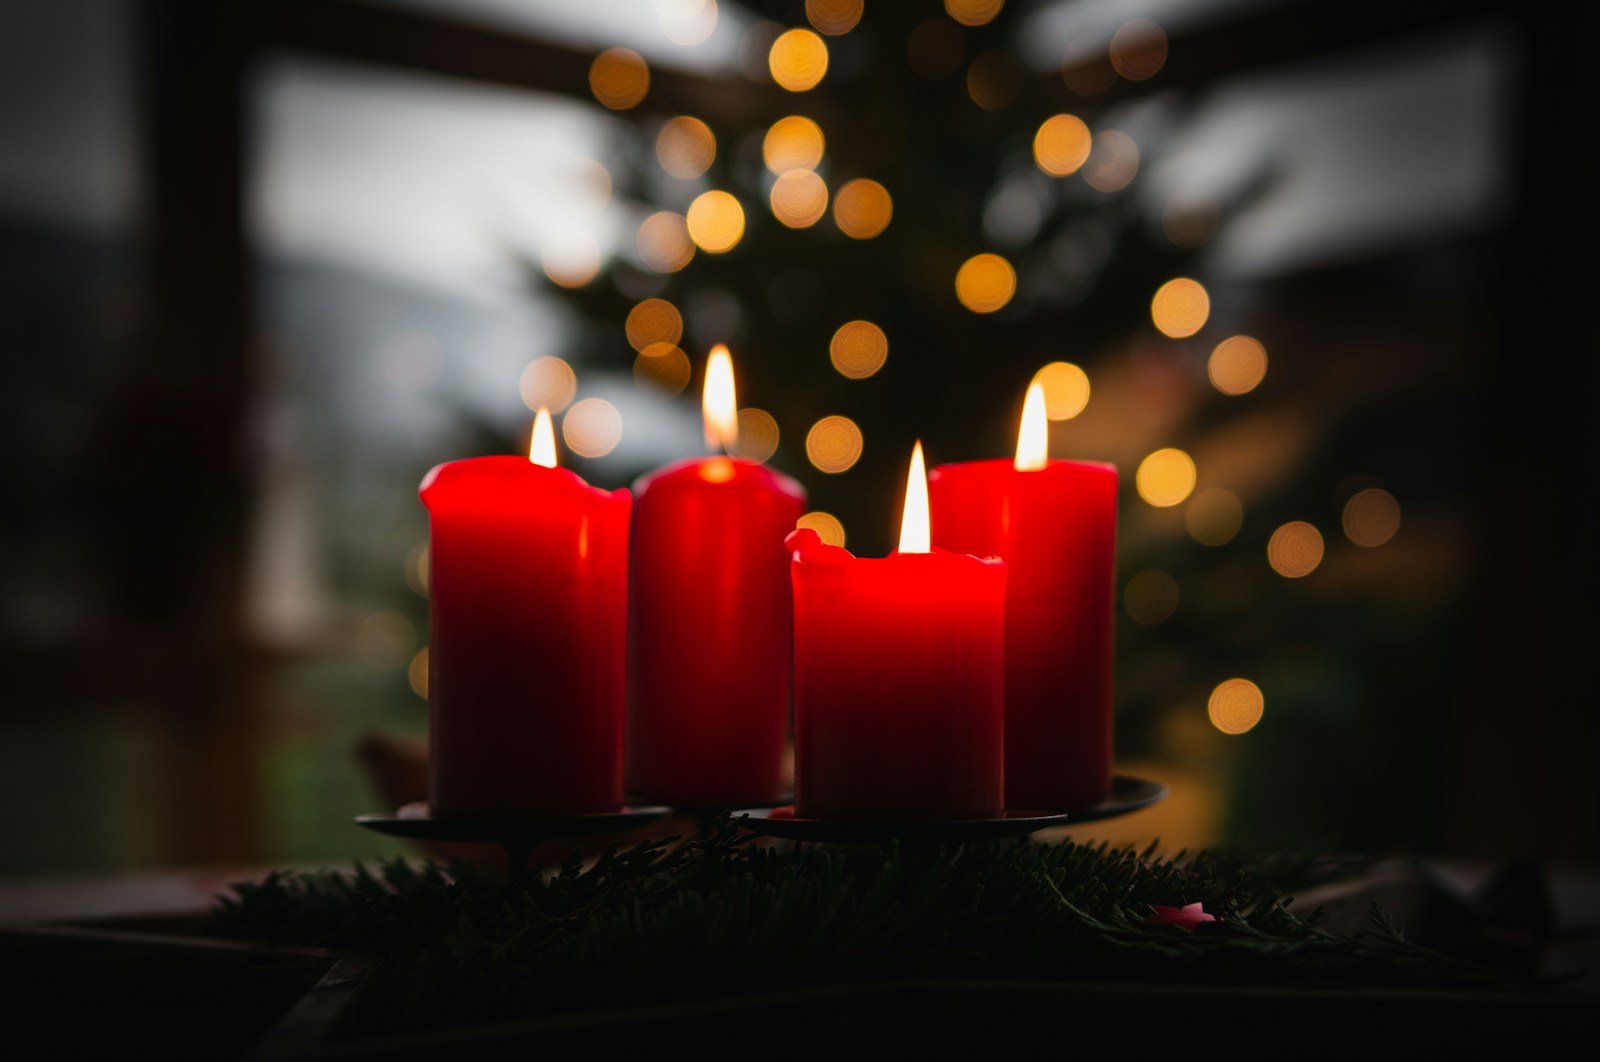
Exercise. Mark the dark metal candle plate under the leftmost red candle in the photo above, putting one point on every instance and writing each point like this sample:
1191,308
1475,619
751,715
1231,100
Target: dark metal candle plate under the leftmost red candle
519,836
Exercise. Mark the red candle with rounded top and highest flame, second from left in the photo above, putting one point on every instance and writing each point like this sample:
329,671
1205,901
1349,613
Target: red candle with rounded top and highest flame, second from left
711,623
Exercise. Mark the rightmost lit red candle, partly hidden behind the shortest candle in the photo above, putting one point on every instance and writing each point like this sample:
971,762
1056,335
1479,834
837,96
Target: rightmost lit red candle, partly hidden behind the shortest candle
1055,524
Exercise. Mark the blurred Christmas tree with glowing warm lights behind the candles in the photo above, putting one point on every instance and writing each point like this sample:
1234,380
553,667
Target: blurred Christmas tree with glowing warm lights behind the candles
897,225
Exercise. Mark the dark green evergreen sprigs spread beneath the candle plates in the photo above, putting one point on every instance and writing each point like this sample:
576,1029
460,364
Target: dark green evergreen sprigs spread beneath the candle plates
716,917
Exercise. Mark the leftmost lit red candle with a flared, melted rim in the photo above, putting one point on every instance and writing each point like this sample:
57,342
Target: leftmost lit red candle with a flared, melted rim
527,637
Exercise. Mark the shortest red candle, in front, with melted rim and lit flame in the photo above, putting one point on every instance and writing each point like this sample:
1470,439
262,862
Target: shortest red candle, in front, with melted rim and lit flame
898,677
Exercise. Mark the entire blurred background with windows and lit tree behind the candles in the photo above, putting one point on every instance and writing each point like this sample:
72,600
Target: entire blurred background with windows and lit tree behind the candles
1308,271
